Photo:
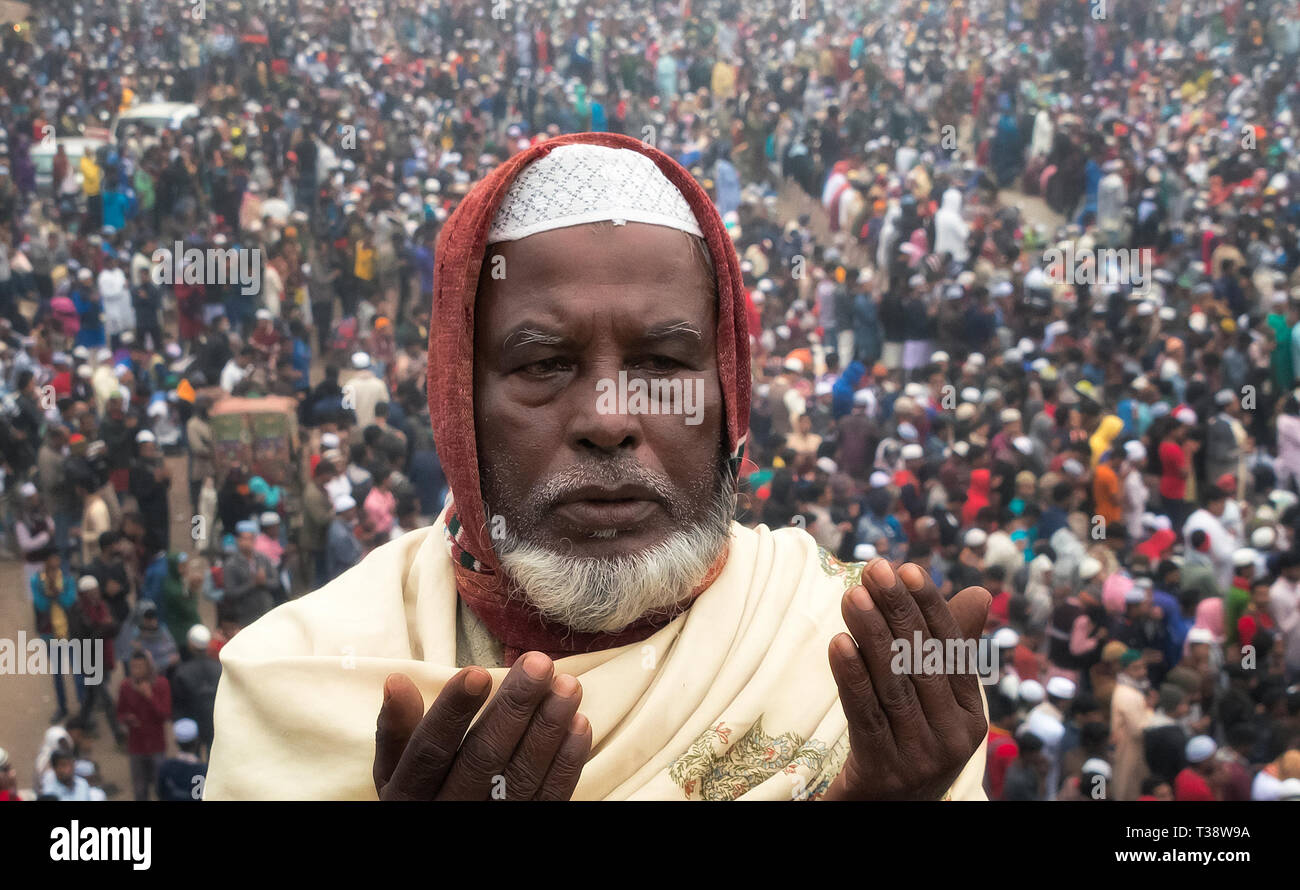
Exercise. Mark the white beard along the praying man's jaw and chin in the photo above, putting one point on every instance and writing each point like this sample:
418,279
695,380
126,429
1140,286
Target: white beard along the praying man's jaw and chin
595,594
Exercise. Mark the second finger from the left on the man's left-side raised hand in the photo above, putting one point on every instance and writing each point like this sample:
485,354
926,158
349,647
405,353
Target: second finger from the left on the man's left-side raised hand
432,749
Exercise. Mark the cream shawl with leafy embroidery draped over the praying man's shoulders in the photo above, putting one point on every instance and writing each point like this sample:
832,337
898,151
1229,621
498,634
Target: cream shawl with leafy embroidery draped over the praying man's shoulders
734,700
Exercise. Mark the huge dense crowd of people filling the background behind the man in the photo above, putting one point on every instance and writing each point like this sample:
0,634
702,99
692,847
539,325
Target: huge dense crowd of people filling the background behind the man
1110,446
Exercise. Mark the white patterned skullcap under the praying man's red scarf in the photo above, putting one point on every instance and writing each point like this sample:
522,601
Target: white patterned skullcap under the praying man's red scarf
582,184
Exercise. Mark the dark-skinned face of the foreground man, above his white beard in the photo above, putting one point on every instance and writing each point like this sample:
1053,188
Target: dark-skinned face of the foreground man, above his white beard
616,299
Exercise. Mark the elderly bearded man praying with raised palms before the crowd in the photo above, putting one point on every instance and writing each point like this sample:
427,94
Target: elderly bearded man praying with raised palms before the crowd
586,620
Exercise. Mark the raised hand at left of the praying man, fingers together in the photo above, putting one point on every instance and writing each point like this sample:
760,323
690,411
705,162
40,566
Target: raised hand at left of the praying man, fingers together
530,745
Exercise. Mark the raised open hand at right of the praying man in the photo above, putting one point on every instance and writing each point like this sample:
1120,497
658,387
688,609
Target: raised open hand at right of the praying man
909,735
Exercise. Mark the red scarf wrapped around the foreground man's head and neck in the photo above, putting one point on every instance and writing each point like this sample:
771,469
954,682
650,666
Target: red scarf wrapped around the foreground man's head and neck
452,403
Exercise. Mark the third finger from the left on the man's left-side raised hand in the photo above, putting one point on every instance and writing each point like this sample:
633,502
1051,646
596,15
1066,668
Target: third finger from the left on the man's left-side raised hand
492,743
